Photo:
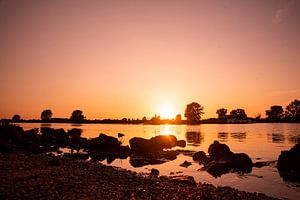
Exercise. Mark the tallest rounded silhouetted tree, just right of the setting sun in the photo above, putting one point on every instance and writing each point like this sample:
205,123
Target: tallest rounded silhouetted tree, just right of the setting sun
193,113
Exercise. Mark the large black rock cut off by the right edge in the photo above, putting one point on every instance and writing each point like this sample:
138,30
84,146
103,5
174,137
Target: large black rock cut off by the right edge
288,164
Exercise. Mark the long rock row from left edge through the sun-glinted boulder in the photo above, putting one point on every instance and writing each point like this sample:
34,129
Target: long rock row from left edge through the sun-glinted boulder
142,151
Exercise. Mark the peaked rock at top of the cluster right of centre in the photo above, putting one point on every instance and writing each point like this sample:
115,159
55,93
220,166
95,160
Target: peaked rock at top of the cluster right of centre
218,150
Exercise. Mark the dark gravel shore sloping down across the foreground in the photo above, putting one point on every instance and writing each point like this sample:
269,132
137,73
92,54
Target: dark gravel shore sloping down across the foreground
30,176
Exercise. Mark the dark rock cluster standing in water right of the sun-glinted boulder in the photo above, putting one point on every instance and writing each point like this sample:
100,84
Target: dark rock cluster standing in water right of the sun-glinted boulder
222,160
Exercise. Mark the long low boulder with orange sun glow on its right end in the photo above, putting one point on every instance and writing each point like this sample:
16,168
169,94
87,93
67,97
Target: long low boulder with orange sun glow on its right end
158,143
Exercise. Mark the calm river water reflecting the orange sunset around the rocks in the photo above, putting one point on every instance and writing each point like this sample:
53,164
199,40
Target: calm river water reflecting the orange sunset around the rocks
262,142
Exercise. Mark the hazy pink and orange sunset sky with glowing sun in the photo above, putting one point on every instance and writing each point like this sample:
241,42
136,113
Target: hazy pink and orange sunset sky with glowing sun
115,59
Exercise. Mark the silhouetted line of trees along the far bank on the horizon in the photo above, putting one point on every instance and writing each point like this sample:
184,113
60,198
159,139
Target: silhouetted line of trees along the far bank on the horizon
193,114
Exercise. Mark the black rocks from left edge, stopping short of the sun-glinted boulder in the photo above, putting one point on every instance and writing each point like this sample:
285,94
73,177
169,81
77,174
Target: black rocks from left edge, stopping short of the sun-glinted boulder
14,138
